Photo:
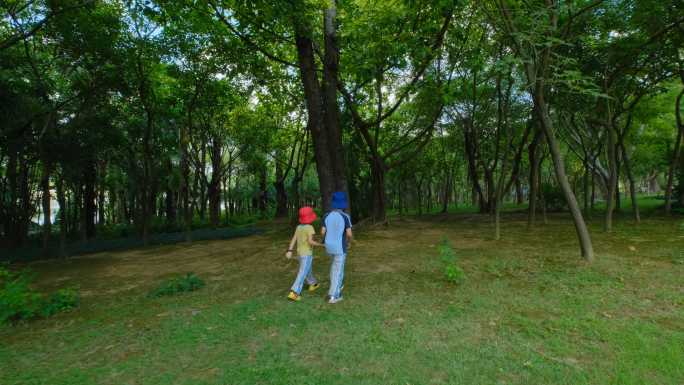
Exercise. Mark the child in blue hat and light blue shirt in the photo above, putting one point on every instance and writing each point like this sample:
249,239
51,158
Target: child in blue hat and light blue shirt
336,230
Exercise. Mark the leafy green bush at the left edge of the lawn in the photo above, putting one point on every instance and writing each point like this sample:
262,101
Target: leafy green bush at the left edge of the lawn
18,301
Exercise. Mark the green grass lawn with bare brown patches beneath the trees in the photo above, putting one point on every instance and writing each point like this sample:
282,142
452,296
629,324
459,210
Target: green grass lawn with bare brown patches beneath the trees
530,311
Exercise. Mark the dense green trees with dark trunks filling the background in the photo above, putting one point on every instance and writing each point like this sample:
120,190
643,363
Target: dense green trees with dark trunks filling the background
158,115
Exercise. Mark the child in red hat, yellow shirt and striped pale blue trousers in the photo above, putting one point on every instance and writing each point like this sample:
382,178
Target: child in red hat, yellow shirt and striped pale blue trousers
303,238
